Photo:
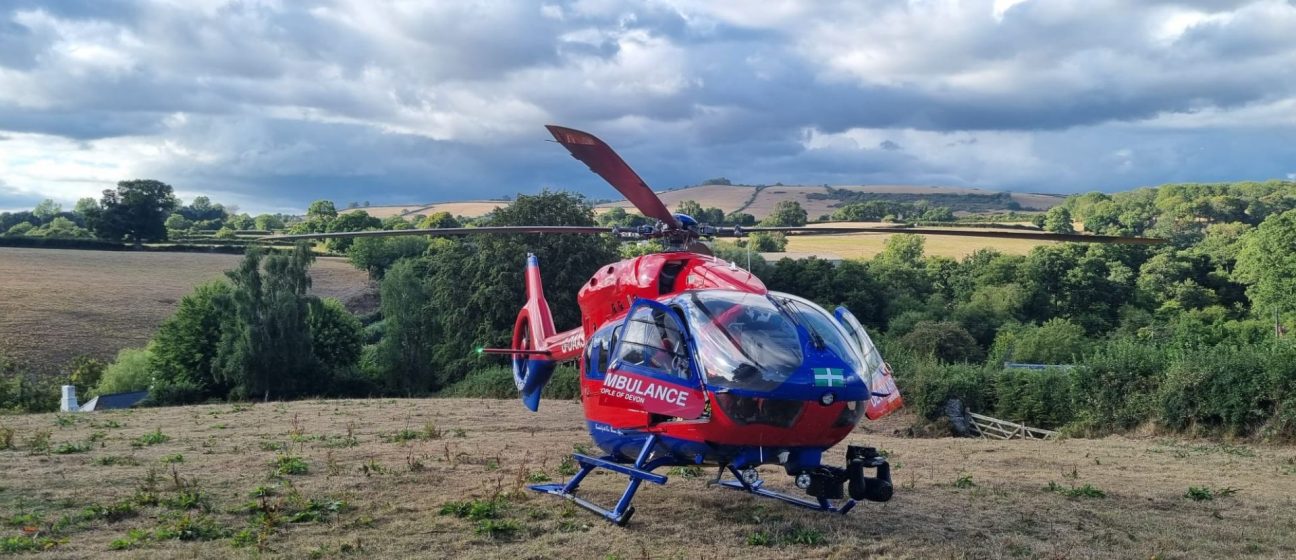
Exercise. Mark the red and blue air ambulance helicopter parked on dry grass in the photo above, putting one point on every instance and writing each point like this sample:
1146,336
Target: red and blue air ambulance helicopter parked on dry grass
688,360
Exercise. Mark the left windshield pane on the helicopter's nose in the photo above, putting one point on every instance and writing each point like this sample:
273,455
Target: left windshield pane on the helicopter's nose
743,339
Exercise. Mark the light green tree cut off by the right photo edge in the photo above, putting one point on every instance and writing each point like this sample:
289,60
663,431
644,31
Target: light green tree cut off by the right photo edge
1267,264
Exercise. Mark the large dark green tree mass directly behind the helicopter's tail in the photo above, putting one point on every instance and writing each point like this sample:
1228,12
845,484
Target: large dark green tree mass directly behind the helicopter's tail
465,294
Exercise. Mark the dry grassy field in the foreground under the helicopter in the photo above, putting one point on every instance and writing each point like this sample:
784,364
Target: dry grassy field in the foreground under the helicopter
371,479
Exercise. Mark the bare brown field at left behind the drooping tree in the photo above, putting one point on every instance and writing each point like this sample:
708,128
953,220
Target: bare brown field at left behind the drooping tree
56,305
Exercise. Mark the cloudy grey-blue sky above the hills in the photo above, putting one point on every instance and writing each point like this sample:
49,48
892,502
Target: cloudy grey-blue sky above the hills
273,104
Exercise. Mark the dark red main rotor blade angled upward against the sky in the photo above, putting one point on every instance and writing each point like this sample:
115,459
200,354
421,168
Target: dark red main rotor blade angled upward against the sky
605,161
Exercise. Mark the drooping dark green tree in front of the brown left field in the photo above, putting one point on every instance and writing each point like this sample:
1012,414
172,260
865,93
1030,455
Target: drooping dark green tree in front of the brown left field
266,348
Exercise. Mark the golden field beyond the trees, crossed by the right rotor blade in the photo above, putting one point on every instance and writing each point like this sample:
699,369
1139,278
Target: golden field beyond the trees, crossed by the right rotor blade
866,246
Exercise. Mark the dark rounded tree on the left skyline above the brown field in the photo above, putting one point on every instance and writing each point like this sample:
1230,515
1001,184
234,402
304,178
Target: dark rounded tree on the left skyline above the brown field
137,211
